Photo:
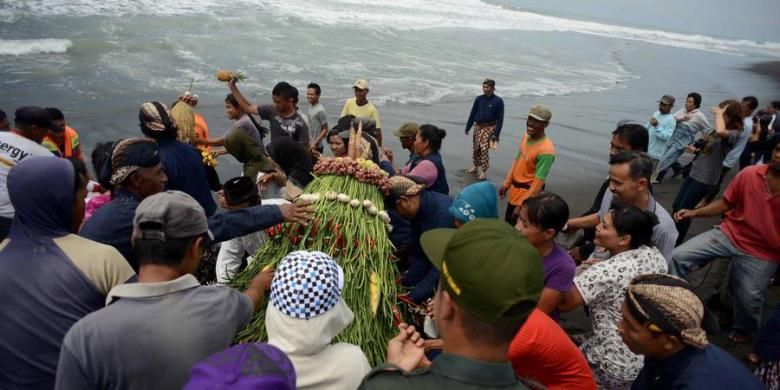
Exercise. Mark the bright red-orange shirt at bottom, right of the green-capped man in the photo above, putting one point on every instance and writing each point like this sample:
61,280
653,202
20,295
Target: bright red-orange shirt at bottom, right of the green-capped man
543,352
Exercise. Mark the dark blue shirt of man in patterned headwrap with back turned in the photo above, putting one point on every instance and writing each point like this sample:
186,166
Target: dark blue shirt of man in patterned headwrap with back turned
186,172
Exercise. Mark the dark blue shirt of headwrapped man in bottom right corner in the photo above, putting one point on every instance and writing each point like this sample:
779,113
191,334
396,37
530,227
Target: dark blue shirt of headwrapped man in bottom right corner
694,368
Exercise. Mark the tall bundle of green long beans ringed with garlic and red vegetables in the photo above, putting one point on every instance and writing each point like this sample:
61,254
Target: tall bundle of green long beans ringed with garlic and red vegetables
350,224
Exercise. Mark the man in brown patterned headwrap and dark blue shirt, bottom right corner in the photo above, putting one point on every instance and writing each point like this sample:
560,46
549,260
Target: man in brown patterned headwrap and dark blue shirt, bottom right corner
662,320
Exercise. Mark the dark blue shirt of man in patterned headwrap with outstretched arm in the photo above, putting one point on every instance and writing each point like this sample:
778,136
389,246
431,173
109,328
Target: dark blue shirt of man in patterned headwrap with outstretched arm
112,224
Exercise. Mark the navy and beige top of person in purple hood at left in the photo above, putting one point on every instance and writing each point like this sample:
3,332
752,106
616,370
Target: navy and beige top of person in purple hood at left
42,294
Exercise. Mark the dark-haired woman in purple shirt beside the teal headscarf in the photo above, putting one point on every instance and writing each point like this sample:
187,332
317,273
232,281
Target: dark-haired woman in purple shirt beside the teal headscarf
540,220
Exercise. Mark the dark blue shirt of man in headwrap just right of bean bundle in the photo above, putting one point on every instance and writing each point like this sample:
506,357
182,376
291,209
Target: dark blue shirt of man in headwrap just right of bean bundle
433,213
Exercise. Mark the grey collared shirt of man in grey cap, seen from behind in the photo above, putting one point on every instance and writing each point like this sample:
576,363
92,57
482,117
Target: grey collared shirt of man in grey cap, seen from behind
151,336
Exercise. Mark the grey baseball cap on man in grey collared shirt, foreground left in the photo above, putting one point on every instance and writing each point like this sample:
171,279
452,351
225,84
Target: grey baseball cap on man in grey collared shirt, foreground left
170,215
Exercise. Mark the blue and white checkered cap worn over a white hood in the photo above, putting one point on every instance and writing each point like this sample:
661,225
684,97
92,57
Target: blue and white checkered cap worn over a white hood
306,284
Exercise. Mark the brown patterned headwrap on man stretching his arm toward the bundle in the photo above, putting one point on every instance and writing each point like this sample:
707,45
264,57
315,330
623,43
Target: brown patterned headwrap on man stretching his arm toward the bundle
131,154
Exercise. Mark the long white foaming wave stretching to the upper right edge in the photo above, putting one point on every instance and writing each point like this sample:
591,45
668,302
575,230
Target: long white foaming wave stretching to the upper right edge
422,14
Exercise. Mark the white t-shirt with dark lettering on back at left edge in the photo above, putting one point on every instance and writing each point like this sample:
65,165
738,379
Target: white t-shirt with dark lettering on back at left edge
13,149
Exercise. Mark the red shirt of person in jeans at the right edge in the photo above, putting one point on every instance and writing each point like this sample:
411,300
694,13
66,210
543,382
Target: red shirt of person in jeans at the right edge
753,225
